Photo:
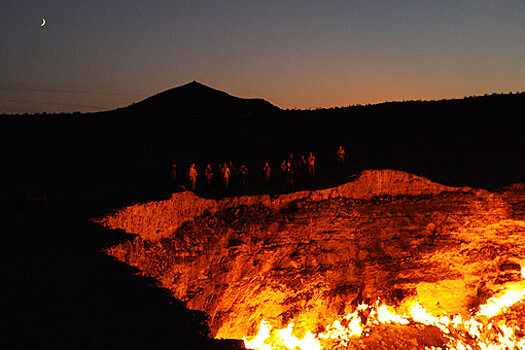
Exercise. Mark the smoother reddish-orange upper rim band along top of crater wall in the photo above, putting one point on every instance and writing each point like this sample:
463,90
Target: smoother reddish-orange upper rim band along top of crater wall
157,220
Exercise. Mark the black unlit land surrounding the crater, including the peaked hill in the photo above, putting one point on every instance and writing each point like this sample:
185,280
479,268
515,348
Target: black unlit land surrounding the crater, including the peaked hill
60,171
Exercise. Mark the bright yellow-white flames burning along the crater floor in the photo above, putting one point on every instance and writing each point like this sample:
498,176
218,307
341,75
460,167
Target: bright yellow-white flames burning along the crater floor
488,328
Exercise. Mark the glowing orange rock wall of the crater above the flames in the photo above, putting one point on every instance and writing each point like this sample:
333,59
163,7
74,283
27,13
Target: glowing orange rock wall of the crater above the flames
311,257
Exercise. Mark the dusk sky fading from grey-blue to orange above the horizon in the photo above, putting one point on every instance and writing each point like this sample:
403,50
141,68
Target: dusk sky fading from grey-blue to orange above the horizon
99,55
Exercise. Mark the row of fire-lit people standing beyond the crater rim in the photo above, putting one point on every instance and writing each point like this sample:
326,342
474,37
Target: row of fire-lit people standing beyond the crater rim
219,177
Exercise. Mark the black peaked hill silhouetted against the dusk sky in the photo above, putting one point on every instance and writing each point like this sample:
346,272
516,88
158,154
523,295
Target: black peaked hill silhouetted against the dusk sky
197,100
